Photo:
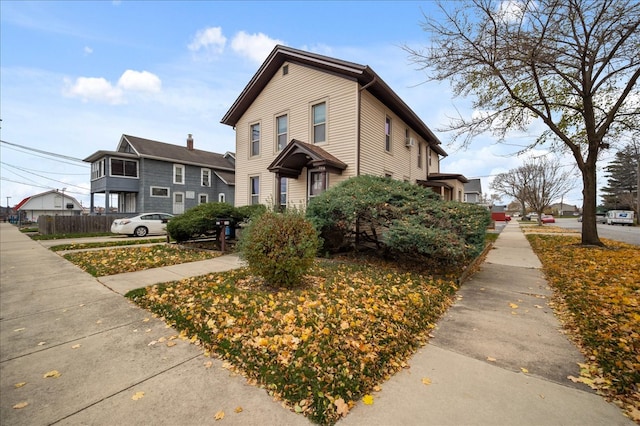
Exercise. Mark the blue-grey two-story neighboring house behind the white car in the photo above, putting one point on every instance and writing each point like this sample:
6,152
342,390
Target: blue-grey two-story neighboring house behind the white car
151,176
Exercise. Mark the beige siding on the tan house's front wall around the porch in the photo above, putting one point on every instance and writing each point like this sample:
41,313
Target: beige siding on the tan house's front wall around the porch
294,94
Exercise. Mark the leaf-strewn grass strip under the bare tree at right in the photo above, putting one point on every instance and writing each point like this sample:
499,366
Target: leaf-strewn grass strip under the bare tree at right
598,292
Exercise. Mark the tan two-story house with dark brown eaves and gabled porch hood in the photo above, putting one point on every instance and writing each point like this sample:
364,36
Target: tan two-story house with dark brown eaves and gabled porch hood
306,122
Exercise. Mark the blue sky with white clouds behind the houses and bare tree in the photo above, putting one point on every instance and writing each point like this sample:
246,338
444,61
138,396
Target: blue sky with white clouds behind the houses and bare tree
76,75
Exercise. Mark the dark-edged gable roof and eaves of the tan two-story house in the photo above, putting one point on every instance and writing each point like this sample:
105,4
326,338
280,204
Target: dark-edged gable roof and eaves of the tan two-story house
365,76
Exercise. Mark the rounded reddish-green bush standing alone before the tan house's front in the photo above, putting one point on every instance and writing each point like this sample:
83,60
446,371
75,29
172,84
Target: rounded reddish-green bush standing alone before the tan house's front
280,247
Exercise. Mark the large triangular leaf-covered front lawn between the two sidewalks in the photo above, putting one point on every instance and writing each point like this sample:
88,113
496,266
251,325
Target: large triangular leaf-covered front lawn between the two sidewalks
320,348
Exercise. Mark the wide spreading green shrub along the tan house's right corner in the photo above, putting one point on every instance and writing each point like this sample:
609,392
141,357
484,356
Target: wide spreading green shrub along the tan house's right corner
400,218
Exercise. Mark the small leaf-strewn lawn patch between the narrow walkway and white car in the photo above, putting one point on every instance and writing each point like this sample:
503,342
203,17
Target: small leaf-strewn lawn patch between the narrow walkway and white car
120,260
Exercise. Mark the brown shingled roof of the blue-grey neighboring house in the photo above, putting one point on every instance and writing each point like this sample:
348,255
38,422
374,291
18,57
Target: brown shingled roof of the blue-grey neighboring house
136,147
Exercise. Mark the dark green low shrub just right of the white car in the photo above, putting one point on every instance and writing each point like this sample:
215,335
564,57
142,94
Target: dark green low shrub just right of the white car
199,220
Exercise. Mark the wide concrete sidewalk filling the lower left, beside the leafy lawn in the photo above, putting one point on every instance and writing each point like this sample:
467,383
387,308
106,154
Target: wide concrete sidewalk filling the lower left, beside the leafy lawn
53,316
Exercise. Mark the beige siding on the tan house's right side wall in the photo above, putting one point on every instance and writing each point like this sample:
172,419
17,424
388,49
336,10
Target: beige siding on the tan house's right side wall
401,161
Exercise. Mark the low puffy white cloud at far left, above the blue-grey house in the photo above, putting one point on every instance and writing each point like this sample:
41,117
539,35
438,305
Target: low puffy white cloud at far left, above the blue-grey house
100,89
